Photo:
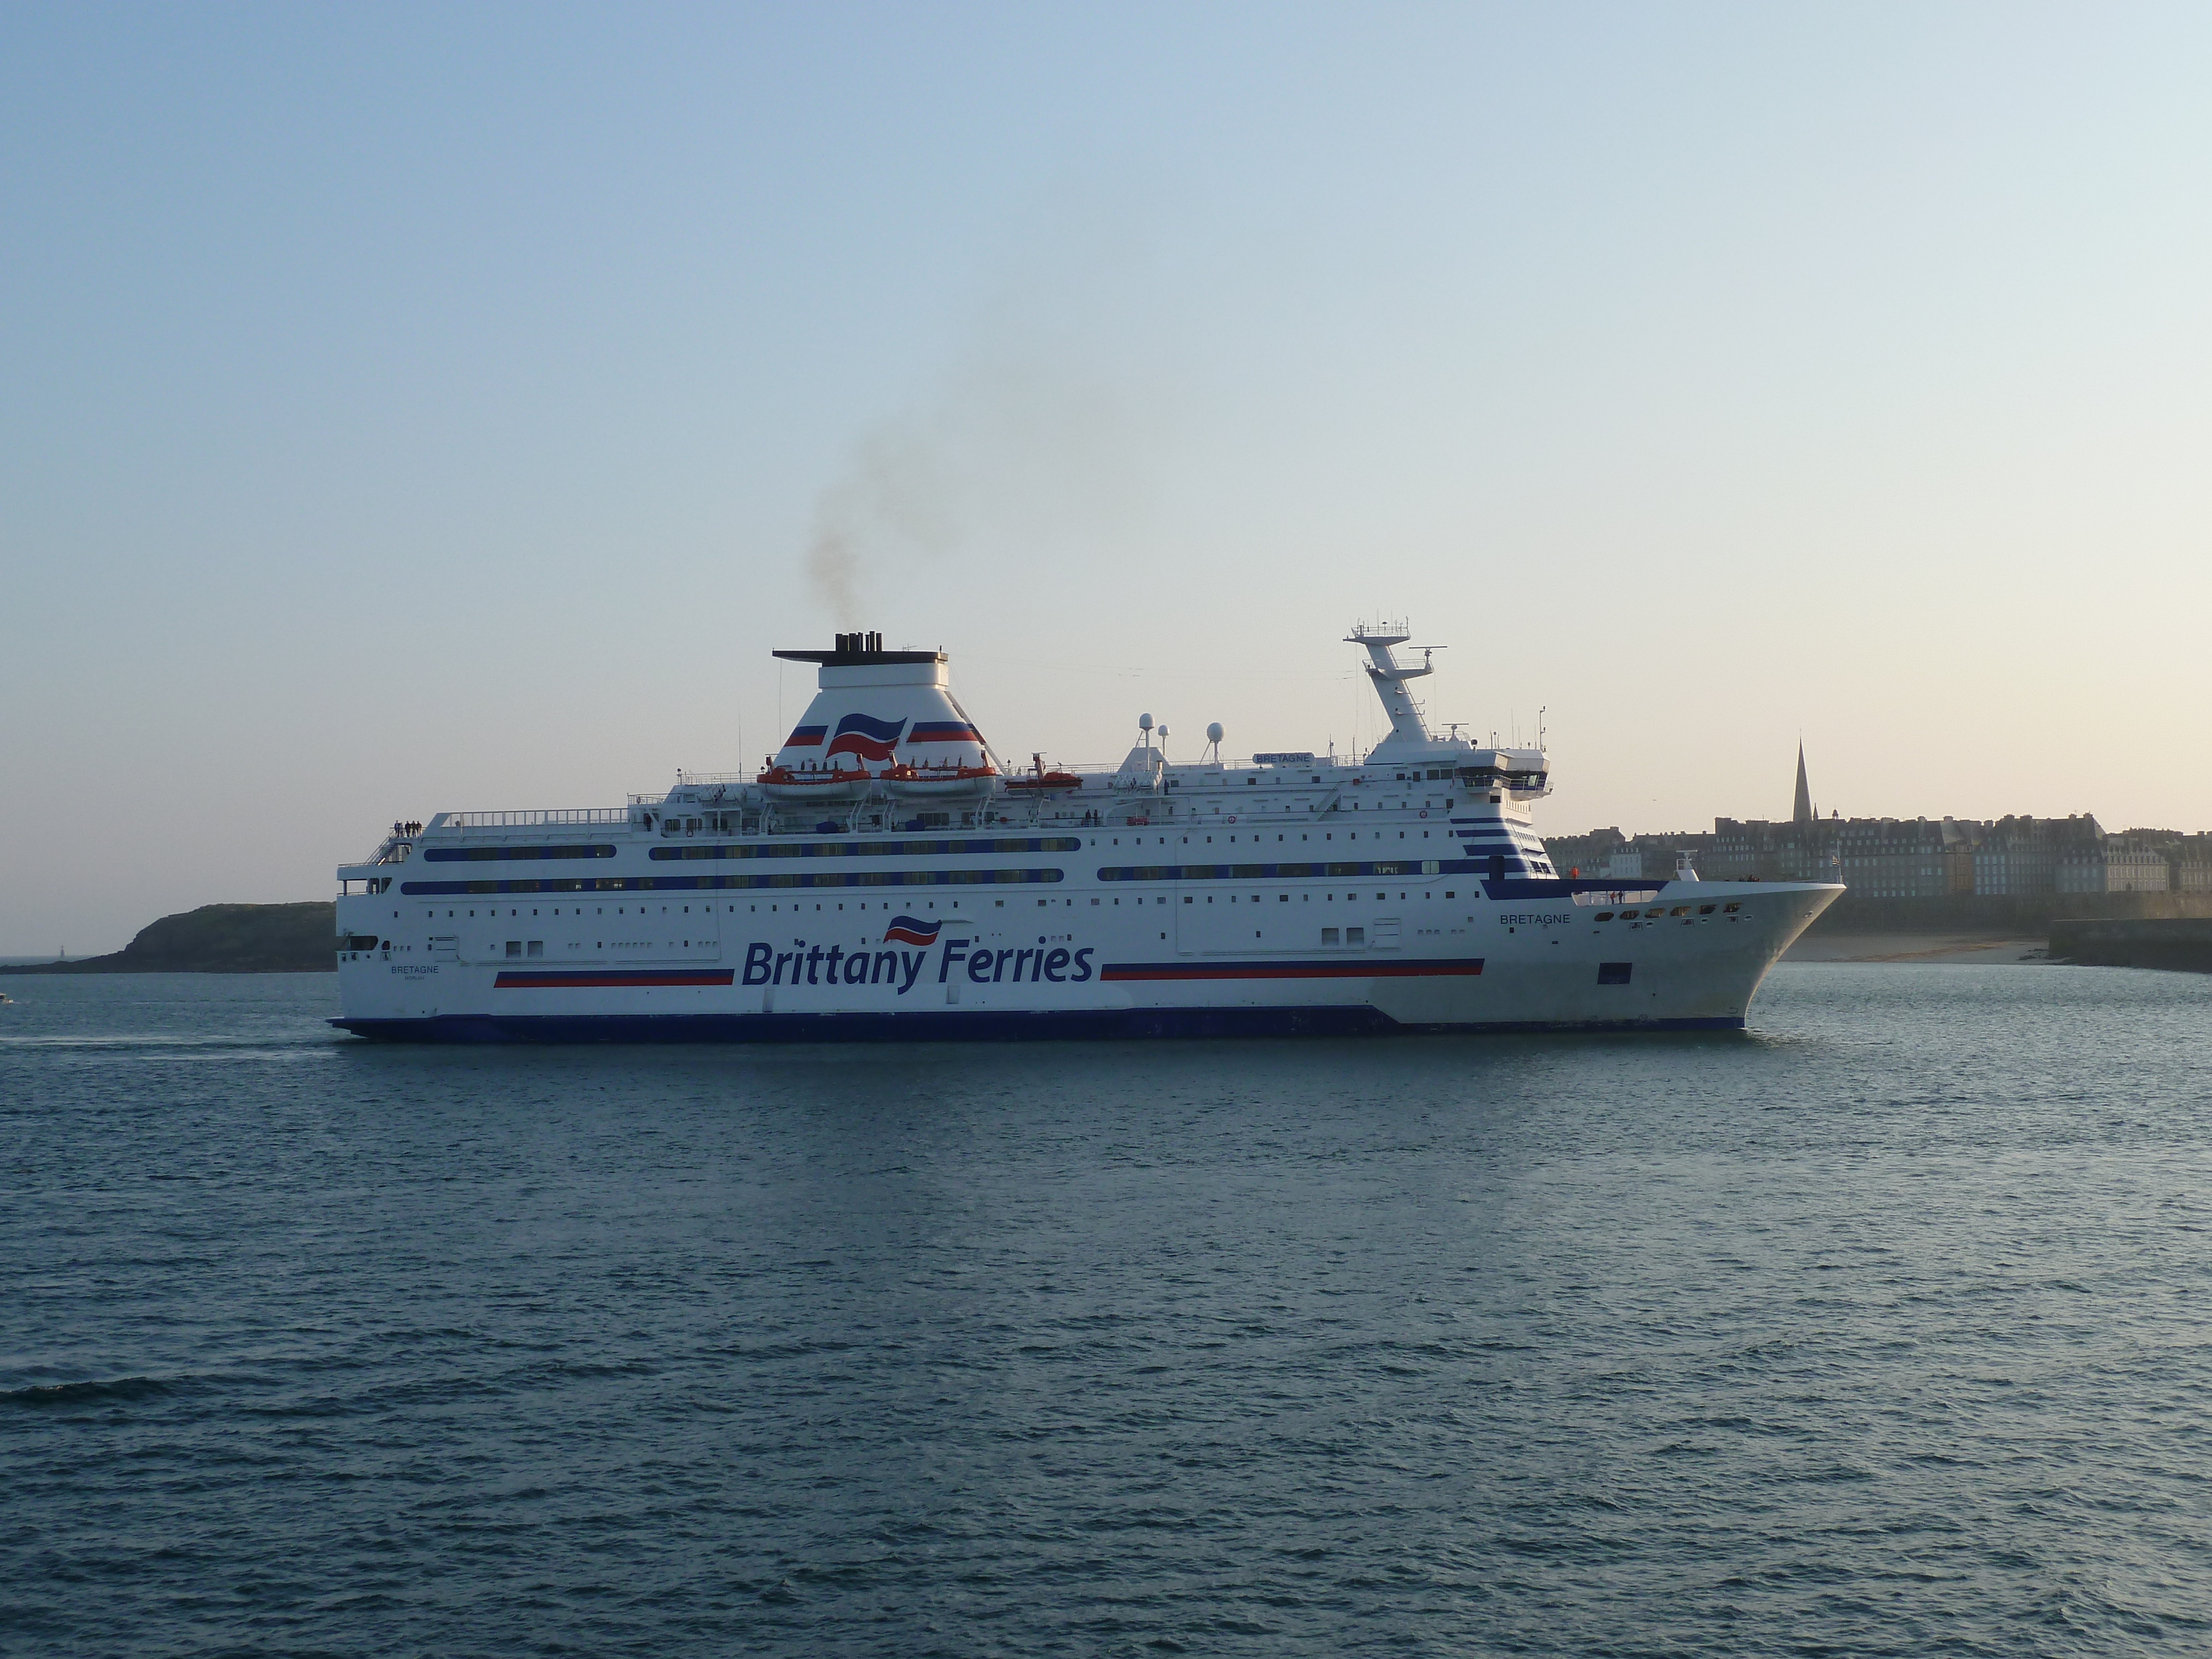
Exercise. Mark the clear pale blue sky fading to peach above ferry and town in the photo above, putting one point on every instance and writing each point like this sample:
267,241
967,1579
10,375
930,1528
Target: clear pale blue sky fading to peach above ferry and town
450,408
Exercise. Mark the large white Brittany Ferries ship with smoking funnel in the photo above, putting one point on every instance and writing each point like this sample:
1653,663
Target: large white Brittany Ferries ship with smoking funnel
888,877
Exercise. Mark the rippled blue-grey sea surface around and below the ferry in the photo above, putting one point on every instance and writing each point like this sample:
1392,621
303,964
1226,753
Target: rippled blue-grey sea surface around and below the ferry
1879,1331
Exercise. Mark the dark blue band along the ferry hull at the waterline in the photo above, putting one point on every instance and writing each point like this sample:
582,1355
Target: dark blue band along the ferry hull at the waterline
966,1027
